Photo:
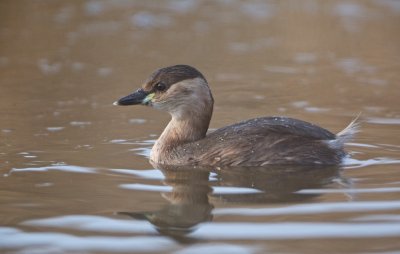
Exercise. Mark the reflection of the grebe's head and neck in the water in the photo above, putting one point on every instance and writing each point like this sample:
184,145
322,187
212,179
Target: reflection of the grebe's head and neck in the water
188,202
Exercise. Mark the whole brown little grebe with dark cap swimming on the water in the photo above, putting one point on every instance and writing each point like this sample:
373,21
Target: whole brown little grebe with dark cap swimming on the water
182,91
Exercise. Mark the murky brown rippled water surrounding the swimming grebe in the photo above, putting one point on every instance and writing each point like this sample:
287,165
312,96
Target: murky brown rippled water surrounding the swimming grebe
74,172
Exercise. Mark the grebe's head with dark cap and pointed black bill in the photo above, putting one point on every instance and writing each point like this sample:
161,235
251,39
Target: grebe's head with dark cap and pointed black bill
181,90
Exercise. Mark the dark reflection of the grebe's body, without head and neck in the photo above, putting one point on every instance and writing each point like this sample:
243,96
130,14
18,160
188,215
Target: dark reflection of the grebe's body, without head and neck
278,184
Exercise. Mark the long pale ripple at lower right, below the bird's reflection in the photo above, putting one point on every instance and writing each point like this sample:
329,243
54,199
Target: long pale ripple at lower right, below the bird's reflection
295,230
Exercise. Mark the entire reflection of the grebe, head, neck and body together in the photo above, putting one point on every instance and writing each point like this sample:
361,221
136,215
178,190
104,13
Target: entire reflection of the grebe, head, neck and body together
193,190
